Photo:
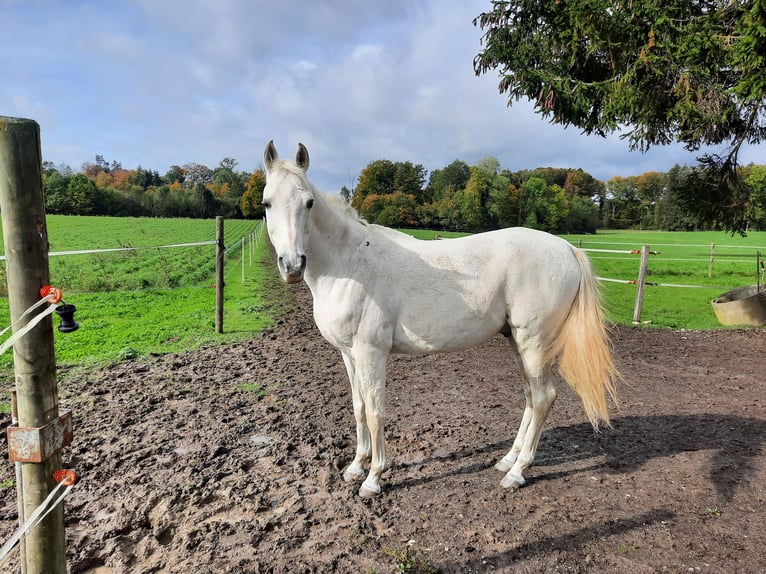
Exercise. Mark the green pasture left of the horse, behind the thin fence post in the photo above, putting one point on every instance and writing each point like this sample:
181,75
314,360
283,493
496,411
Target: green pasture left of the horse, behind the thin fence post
153,300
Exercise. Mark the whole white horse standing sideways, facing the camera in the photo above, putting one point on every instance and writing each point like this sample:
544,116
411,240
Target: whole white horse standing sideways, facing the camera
378,291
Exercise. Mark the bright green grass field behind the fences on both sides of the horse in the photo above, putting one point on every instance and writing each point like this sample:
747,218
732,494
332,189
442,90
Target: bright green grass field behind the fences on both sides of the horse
152,300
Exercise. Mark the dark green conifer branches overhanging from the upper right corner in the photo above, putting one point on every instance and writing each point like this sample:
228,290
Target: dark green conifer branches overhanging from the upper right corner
664,70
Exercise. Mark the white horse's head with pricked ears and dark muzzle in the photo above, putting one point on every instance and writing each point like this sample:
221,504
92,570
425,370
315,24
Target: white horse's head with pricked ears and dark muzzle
288,198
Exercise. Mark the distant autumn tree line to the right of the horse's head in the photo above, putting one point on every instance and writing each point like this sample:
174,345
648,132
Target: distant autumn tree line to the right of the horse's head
485,196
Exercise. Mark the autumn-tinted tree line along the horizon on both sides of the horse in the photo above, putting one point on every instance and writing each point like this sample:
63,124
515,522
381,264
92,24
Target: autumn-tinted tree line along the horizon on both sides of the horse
457,197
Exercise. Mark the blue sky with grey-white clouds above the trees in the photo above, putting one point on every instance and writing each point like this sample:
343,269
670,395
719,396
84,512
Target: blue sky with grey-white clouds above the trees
162,82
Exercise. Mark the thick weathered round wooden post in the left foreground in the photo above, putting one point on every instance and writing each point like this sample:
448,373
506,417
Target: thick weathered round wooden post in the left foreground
26,250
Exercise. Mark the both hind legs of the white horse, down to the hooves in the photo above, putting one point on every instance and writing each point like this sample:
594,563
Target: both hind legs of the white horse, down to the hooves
540,394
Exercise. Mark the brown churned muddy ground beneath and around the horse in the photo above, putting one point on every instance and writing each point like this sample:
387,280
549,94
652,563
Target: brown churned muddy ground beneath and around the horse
229,460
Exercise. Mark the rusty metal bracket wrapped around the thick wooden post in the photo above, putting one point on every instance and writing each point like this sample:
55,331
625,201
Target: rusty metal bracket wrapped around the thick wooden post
37,444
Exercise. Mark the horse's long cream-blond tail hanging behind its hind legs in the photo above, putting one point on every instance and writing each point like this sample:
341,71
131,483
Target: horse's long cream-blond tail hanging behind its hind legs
583,348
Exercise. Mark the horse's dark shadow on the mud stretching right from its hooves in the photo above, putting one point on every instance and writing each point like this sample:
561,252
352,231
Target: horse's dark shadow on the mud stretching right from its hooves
627,445
